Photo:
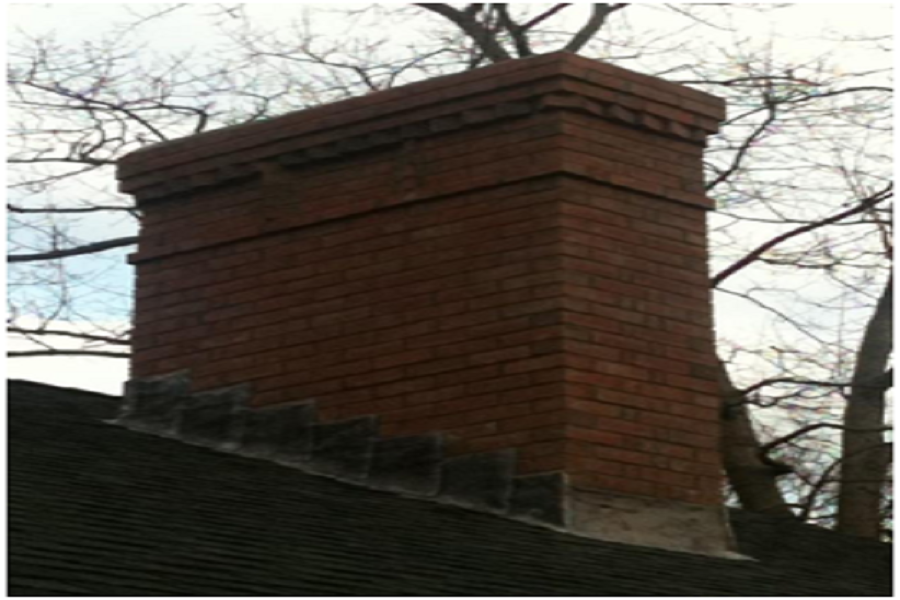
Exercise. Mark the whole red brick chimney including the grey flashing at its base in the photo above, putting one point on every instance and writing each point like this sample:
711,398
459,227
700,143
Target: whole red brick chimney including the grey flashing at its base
488,289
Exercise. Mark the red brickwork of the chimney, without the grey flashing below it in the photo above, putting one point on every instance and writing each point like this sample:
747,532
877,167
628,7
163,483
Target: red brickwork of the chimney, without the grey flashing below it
507,313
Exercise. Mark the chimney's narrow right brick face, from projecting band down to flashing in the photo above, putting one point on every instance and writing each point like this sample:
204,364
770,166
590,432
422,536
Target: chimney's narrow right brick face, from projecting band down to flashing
641,390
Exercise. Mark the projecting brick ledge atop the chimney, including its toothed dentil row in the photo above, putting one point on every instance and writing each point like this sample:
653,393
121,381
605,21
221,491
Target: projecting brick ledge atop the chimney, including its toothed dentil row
503,90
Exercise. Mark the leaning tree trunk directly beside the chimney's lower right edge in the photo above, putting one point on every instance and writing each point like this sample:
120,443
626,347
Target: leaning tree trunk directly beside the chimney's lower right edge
753,480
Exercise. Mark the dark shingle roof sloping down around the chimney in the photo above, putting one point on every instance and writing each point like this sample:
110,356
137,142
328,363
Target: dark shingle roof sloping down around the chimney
95,509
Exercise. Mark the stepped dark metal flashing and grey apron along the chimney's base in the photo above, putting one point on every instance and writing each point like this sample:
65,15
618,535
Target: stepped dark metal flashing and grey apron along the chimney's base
416,466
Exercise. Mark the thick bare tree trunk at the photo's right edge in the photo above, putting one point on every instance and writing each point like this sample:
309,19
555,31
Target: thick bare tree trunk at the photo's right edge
866,456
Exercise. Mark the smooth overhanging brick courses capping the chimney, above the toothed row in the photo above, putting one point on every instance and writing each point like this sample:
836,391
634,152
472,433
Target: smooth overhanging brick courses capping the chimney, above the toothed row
210,153
